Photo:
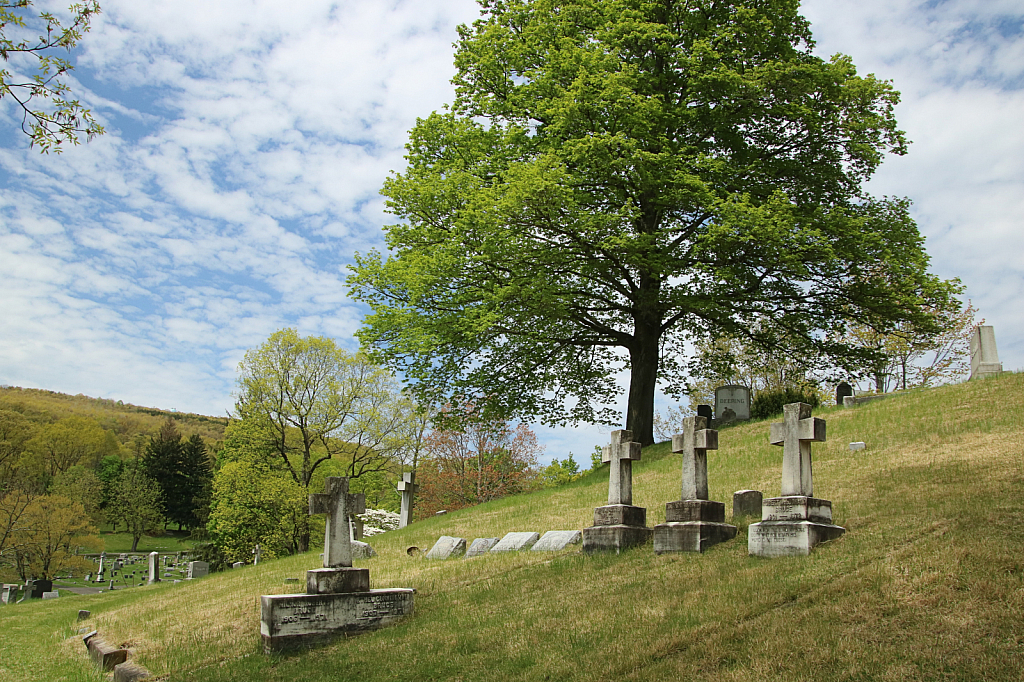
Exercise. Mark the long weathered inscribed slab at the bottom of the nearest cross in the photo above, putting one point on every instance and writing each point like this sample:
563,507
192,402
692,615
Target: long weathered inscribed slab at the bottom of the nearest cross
298,621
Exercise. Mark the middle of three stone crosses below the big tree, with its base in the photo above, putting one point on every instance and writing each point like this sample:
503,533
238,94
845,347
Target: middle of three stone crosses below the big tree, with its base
694,524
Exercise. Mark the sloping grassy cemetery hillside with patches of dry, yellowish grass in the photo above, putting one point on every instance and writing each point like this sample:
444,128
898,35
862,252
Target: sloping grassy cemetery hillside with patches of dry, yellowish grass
927,584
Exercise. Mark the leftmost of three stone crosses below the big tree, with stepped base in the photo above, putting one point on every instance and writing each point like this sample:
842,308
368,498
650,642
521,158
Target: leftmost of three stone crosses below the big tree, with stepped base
619,525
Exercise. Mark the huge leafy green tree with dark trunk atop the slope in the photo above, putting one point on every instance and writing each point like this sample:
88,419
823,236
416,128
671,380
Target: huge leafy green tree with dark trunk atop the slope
616,178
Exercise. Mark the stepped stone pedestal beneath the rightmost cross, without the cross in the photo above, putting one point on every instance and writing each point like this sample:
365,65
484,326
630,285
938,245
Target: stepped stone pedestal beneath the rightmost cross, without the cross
792,527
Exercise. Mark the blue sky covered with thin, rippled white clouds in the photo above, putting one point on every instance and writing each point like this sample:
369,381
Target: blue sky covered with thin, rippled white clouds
248,141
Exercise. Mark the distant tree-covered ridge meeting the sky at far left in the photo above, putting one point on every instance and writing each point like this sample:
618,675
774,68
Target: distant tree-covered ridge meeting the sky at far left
123,419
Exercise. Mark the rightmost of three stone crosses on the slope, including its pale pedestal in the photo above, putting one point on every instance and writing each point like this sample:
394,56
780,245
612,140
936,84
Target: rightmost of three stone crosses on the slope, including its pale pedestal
795,524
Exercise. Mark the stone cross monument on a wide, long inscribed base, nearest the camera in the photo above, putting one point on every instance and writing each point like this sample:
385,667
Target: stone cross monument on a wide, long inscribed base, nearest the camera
338,598
